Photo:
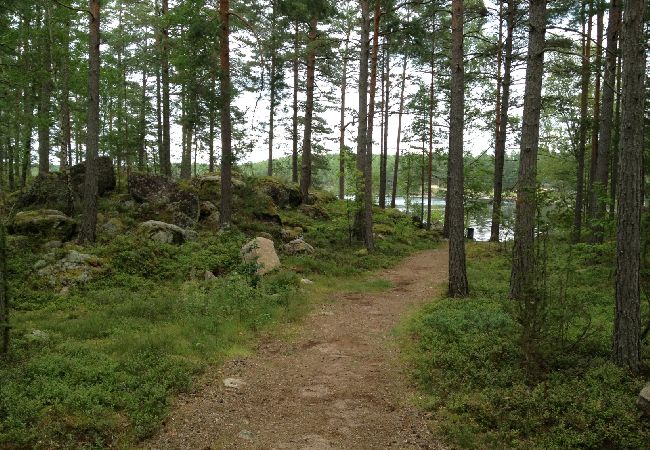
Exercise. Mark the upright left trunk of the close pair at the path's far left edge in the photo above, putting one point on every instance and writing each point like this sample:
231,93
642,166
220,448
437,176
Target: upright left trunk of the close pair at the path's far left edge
363,202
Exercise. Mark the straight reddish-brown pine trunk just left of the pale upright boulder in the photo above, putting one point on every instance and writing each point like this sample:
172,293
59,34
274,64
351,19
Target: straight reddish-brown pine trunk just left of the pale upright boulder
226,125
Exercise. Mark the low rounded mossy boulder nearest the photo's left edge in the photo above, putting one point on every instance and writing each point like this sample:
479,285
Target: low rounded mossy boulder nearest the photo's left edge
44,222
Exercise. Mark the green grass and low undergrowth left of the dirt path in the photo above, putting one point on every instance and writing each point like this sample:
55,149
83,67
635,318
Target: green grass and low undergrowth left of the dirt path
98,365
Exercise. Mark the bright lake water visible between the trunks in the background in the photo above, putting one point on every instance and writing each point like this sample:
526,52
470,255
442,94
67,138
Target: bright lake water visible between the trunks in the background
480,218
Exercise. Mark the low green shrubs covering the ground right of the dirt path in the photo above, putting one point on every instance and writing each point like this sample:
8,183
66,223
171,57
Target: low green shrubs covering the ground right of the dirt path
466,358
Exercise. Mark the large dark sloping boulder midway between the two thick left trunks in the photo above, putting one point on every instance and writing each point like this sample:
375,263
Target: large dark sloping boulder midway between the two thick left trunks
161,192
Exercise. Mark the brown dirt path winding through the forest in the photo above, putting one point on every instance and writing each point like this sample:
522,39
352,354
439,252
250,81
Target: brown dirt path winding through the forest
338,385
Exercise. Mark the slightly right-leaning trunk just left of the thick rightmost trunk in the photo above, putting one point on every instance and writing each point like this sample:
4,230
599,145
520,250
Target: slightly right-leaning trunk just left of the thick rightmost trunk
606,122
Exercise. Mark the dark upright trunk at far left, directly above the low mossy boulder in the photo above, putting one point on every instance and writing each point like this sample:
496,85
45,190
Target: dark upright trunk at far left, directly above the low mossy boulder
44,100
